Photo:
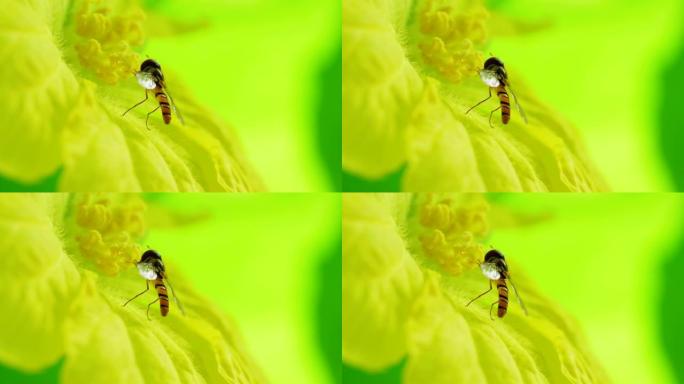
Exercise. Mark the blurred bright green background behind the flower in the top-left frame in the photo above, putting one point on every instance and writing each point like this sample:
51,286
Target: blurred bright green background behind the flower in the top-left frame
270,68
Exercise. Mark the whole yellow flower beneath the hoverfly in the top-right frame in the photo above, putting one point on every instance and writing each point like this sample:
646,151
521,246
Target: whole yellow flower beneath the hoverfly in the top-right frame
409,76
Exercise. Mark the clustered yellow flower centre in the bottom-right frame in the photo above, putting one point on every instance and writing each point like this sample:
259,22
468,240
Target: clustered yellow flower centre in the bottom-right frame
451,230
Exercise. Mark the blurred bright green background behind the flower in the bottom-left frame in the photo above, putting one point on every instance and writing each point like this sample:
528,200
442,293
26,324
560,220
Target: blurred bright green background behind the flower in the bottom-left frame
270,261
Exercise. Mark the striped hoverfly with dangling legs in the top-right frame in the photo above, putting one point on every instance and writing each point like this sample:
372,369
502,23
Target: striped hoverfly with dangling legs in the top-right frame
494,75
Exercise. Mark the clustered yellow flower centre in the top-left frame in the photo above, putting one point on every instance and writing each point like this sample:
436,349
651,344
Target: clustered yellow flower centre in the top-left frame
107,39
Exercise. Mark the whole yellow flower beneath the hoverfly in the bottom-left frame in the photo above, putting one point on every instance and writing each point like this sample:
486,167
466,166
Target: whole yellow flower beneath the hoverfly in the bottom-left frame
66,270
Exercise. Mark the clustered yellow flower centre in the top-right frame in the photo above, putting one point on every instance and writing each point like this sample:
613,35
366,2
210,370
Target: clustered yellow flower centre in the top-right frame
449,36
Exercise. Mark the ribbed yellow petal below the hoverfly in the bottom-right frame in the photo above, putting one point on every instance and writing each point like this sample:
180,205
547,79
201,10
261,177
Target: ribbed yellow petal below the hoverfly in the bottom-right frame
449,342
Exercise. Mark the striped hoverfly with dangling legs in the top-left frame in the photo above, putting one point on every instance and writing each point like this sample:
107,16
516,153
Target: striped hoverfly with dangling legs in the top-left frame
151,78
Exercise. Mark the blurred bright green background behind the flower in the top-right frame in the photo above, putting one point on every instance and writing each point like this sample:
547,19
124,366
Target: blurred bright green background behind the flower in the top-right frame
614,68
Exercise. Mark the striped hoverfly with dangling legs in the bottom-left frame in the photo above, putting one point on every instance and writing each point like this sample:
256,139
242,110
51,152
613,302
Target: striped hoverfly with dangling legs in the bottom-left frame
152,268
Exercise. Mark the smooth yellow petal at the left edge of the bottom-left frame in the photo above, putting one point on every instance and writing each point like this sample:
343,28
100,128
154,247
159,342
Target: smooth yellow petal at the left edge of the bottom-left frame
38,281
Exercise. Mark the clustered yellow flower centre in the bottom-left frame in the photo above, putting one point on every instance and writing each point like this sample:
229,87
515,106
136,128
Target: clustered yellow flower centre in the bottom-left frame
107,230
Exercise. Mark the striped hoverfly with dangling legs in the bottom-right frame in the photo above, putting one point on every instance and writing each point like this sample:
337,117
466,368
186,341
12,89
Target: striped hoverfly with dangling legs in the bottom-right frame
495,269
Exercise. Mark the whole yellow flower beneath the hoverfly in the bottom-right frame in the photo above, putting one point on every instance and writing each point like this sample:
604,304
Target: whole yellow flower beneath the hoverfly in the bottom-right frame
410,266
